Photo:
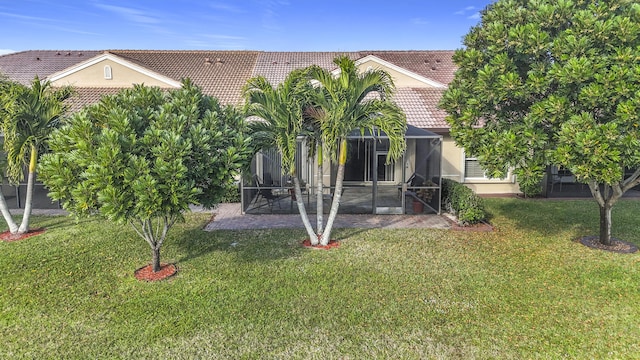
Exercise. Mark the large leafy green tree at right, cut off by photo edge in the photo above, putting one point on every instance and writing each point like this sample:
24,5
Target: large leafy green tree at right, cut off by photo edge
553,83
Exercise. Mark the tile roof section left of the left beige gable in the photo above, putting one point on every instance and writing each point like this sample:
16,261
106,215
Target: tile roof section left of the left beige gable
25,65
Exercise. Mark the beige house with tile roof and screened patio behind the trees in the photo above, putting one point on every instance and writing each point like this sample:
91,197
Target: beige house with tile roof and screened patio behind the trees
420,78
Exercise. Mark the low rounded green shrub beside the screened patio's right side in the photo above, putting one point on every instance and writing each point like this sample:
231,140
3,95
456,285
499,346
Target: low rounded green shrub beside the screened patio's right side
462,202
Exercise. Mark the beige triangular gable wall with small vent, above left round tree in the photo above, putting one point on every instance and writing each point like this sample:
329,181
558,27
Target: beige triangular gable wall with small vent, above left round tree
122,76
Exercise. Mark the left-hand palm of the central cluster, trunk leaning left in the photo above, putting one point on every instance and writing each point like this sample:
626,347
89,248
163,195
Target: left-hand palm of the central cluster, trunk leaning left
282,112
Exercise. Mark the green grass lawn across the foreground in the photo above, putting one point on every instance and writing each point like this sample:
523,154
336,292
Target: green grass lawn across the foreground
527,290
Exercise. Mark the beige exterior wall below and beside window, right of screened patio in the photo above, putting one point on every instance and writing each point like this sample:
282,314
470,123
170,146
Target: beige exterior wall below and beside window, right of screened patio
453,168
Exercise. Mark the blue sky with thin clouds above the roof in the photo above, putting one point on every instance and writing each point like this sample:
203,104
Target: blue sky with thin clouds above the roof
272,25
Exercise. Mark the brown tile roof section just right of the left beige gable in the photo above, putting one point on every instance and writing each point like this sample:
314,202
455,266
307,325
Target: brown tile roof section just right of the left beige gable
219,73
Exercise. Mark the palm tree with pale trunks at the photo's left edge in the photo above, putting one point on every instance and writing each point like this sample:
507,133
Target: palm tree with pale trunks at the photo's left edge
27,117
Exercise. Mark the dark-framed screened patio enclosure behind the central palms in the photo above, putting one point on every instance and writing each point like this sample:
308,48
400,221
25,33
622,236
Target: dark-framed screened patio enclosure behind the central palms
409,185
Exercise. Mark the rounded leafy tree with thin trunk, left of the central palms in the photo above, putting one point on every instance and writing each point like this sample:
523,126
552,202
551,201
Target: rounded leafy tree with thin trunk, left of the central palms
143,156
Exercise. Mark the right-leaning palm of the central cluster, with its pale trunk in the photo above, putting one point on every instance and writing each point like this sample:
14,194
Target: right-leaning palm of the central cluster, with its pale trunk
348,102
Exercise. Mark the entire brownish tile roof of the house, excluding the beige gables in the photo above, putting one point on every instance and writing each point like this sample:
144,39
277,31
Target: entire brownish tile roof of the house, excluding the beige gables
223,73
